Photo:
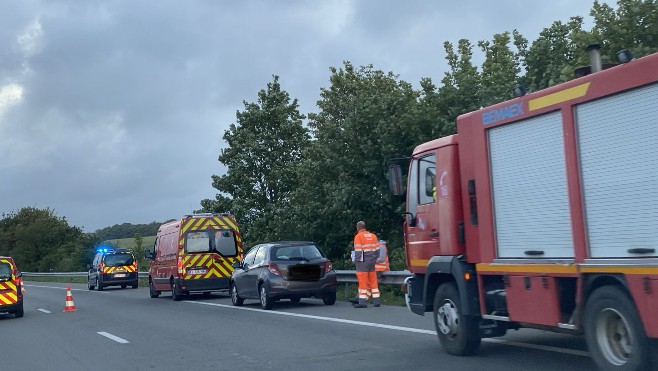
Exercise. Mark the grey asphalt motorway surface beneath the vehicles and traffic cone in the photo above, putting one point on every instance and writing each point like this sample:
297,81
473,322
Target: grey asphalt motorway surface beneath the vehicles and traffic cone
125,329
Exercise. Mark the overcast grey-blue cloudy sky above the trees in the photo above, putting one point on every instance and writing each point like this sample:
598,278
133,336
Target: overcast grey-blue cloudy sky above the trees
113,111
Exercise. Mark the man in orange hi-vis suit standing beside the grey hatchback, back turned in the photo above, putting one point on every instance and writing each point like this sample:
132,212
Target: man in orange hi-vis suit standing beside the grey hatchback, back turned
366,253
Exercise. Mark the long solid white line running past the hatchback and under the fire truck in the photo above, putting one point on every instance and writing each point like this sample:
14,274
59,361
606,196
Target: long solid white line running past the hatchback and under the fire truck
400,328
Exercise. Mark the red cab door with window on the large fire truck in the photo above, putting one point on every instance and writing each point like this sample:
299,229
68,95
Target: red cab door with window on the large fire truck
422,237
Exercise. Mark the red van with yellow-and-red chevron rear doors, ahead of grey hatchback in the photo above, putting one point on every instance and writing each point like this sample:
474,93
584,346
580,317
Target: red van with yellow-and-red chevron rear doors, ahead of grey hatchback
194,254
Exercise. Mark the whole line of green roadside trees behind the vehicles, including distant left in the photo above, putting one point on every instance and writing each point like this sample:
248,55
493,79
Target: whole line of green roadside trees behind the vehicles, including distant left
312,176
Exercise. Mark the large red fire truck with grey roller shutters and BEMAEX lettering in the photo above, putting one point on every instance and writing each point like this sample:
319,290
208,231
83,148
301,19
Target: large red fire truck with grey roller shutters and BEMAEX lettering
542,212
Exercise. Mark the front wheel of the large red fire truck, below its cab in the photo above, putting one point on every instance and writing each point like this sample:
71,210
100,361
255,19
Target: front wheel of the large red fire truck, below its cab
459,335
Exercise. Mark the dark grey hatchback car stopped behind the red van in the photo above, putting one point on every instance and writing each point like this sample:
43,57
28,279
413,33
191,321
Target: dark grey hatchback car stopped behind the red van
283,270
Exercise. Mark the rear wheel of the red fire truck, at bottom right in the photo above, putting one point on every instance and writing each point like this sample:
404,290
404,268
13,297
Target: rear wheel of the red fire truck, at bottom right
614,332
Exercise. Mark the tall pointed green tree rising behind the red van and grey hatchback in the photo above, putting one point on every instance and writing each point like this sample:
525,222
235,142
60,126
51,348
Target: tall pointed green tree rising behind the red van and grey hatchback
262,151
